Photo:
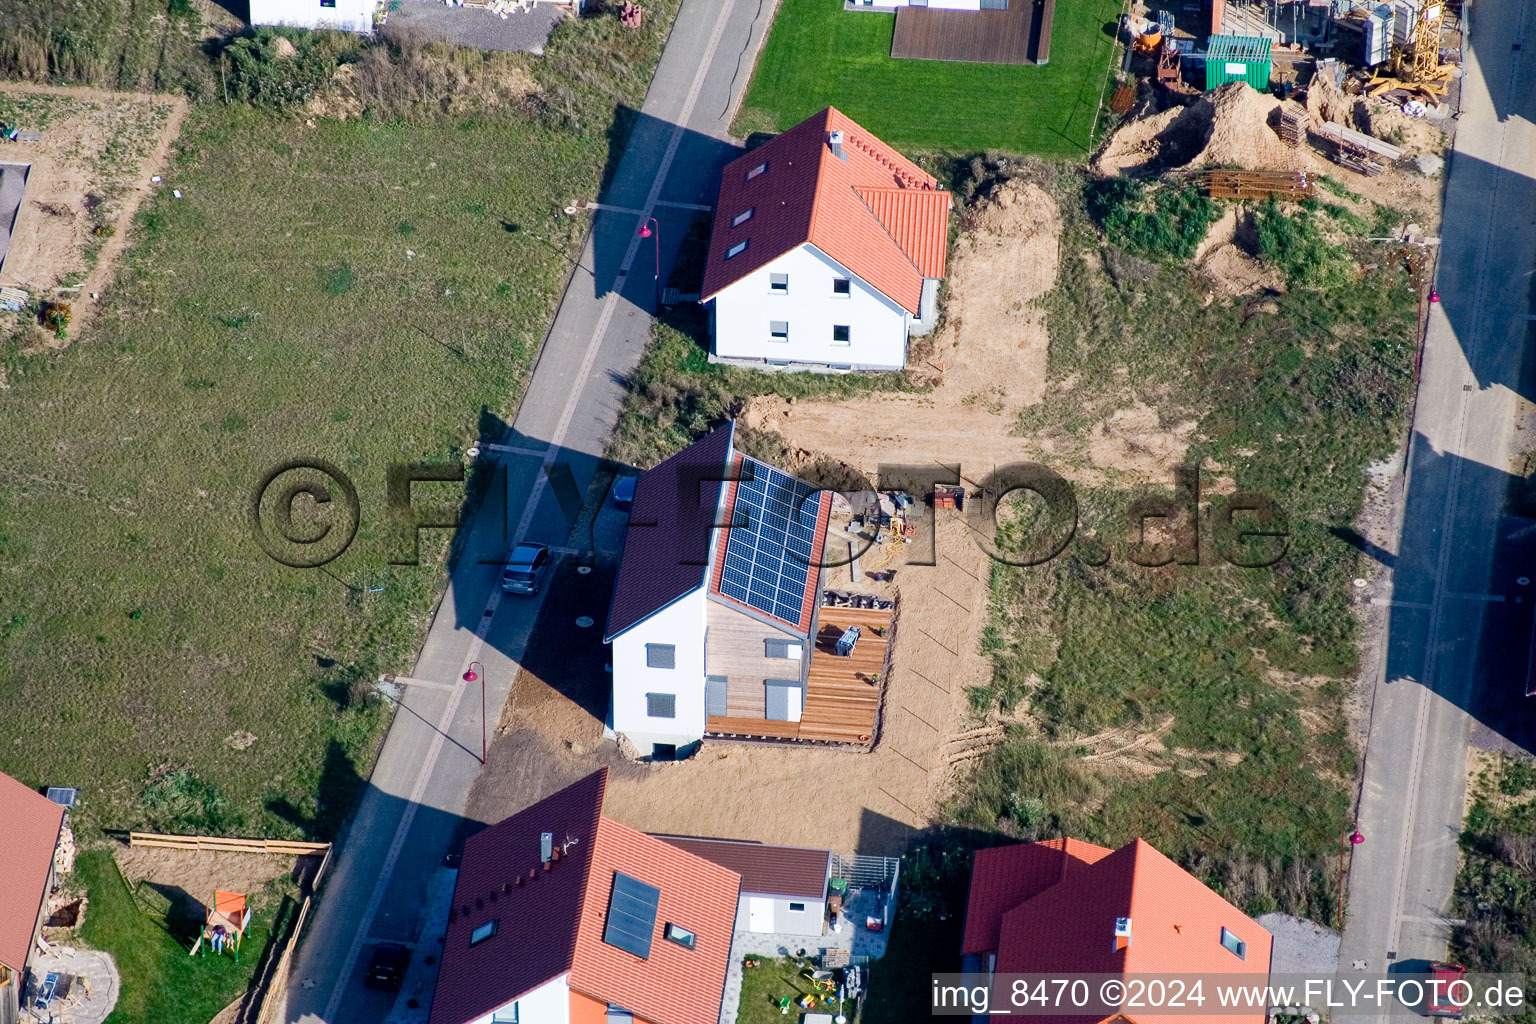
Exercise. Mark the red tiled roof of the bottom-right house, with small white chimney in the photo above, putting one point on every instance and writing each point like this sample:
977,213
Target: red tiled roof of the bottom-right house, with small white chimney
1065,907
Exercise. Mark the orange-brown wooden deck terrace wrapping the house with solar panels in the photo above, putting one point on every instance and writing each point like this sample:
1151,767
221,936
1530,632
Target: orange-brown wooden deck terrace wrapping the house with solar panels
842,695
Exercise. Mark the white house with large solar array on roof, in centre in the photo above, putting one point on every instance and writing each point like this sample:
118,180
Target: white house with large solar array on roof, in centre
715,610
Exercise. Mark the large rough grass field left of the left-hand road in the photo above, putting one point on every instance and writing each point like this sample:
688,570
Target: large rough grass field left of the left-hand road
365,292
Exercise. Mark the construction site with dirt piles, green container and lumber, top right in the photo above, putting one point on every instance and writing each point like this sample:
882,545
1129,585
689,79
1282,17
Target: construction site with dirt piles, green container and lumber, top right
1337,87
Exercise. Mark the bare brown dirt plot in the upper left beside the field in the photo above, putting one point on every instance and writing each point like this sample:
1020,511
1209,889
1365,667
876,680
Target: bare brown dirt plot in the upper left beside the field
90,173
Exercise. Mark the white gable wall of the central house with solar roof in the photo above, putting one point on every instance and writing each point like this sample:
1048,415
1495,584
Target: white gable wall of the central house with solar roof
681,626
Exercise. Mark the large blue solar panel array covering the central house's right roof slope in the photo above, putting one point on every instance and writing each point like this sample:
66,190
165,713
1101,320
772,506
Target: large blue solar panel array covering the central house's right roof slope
769,555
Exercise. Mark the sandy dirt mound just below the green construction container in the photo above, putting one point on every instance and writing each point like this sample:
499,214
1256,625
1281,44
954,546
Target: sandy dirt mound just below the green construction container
1226,128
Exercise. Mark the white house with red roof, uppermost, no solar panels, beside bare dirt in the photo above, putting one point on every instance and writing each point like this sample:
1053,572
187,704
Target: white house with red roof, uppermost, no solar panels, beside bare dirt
827,251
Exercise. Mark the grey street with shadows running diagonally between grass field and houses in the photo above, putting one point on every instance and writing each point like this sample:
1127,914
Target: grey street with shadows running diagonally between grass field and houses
411,816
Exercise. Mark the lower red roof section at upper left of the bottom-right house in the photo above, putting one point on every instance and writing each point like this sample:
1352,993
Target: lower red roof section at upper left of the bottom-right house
1004,877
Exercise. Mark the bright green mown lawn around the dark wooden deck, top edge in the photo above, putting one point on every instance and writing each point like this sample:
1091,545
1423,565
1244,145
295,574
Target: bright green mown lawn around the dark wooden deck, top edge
819,55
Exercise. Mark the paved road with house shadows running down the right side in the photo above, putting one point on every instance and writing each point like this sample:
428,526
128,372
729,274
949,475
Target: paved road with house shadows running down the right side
1458,624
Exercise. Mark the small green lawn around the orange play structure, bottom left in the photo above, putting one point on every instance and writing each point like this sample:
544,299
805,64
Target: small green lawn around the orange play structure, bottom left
162,985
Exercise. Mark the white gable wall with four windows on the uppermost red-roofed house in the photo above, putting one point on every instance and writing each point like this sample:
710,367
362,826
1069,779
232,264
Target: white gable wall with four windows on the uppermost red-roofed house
744,312
